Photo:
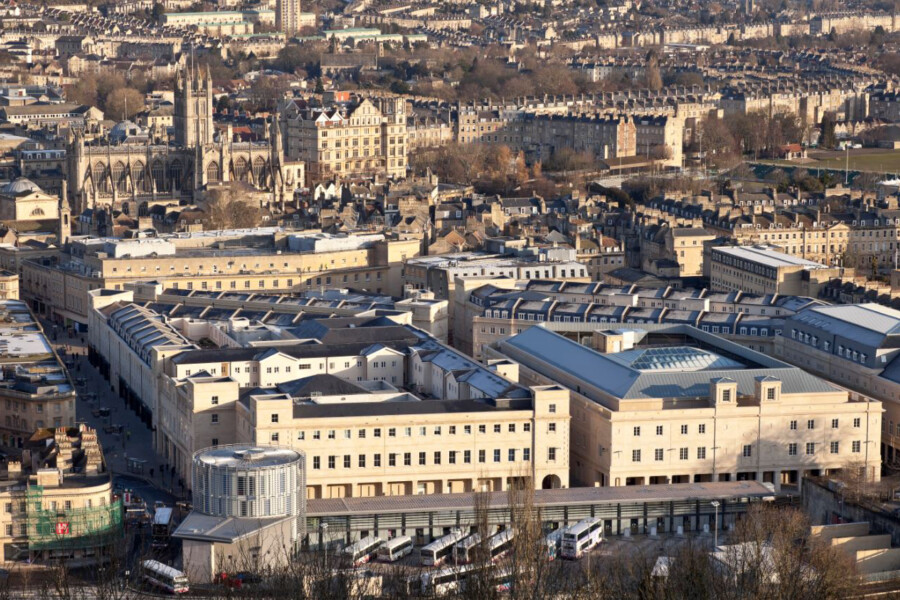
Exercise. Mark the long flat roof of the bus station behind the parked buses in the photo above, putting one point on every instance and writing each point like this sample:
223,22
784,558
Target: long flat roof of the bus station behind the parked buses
329,507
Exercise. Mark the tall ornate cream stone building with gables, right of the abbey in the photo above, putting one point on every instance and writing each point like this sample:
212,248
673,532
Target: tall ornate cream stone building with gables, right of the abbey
363,138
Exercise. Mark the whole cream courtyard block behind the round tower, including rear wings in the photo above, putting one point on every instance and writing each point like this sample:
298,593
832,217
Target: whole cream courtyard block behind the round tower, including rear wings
323,394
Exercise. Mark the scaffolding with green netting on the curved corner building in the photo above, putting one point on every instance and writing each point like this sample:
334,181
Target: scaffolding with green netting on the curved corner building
70,529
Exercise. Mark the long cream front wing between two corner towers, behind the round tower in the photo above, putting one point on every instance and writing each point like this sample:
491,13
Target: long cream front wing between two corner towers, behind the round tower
364,439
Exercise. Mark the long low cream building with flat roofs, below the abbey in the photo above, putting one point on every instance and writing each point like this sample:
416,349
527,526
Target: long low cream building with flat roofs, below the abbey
215,261
